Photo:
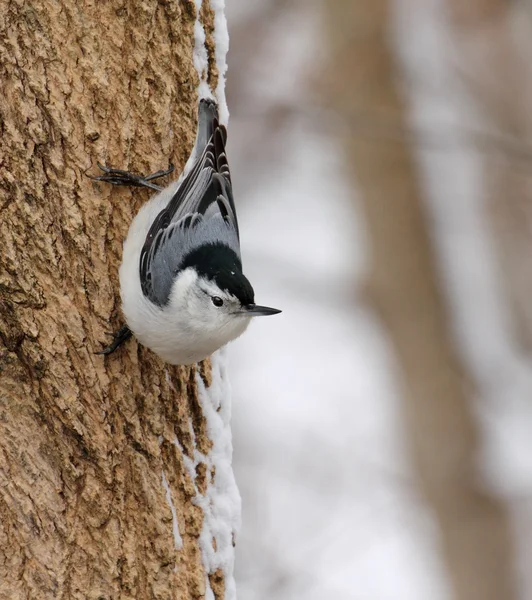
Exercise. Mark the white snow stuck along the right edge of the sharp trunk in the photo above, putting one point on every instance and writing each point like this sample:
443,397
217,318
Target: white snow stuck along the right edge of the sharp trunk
221,503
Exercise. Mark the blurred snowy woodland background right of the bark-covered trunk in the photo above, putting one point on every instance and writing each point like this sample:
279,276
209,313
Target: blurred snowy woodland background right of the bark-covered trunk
383,423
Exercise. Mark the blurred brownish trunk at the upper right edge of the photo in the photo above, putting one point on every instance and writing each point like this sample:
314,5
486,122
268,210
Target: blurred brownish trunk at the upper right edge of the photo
492,42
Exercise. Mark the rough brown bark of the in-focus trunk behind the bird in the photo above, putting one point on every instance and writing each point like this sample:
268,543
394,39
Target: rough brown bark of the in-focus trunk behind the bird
83,438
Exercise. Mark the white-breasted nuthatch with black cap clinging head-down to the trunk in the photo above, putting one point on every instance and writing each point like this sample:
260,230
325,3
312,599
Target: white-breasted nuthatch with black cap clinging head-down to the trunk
183,291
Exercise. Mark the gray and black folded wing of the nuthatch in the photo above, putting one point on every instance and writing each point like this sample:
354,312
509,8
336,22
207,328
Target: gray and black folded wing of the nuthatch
202,211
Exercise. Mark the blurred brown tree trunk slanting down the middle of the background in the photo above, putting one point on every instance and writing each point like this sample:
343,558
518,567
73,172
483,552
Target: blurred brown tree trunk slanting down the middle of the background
404,287
